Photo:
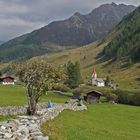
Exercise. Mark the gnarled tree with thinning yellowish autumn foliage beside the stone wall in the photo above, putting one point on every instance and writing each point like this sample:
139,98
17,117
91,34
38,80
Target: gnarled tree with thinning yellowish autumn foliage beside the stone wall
39,77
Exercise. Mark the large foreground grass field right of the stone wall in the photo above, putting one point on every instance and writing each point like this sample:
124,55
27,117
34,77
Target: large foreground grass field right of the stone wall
99,122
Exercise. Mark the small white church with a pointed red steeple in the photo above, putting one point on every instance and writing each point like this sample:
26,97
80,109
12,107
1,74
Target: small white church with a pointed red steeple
99,82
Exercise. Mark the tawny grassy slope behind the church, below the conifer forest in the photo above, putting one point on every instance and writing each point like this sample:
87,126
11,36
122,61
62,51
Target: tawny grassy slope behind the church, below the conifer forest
127,77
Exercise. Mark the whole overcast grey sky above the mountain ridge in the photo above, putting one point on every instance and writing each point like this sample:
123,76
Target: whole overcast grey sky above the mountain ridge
18,17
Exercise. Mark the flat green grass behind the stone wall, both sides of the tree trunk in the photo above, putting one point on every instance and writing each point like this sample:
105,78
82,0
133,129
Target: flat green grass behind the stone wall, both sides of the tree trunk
16,96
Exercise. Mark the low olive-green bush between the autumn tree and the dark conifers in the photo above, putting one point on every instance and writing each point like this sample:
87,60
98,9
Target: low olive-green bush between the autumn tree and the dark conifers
62,88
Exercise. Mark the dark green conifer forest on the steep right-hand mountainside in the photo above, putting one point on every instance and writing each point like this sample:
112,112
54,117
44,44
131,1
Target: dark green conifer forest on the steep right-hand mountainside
126,42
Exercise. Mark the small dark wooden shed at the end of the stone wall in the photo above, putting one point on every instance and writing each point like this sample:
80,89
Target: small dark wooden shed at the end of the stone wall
92,96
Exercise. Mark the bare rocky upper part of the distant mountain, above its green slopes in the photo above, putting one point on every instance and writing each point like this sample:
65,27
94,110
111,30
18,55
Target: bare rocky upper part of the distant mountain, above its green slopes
81,29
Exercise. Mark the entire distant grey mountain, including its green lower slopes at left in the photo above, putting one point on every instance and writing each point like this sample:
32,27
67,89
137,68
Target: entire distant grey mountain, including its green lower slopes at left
75,31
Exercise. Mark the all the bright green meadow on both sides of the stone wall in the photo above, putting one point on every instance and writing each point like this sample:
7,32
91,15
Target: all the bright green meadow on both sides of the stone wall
99,122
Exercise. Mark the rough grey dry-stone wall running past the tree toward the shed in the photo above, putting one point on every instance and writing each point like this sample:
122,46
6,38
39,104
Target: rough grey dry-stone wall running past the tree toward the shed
28,127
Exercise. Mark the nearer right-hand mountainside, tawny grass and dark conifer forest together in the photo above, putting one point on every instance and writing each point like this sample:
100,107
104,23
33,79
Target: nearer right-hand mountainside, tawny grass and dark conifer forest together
122,44
